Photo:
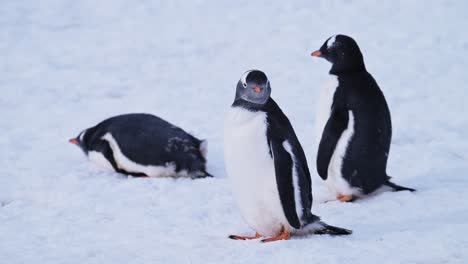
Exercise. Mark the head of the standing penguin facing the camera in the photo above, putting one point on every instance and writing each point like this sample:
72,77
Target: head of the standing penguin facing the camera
253,87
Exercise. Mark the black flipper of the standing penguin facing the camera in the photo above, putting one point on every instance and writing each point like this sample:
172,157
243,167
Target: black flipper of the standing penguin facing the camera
284,166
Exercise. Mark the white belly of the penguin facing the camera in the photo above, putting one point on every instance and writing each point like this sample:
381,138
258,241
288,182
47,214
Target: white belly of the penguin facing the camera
251,171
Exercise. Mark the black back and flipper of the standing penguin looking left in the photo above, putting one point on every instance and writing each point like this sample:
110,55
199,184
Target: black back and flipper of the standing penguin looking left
365,161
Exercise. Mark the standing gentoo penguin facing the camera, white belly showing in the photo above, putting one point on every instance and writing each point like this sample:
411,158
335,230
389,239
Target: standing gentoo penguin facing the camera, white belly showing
267,165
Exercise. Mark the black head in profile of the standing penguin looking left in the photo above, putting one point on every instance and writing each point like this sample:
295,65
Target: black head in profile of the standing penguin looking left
343,52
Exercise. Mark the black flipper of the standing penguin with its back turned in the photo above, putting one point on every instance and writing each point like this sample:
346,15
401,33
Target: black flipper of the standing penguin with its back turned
335,126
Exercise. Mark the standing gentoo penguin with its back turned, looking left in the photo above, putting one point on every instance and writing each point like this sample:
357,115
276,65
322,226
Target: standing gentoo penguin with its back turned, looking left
355,124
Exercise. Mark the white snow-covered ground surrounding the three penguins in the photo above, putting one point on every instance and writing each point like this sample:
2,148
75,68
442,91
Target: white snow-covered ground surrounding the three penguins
67,65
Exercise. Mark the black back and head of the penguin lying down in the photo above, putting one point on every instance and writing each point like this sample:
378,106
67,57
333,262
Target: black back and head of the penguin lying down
147,140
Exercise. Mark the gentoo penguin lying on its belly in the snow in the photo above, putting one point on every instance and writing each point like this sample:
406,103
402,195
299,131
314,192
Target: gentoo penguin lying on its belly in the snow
143,145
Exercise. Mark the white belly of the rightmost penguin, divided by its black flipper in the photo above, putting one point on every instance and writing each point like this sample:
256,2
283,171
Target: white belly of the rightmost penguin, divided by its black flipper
335,181
